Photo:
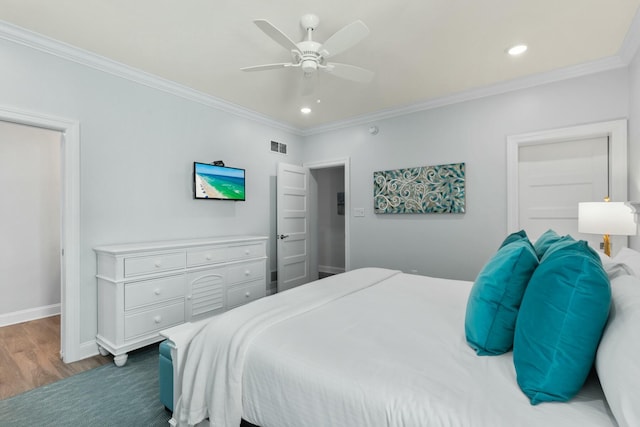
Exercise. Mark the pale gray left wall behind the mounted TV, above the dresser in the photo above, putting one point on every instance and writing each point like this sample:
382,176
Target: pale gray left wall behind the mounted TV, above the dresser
137,145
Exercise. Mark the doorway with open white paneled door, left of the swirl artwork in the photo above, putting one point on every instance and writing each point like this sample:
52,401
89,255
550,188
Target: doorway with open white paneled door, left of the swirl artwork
298,221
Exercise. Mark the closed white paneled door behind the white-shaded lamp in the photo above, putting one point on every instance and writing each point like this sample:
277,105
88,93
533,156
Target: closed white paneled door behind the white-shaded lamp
554,177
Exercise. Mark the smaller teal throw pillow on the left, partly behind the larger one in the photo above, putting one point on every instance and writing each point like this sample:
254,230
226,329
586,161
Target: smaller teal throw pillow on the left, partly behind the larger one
492,307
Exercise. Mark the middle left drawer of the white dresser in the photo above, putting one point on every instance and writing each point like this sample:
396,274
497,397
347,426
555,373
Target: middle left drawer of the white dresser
153,291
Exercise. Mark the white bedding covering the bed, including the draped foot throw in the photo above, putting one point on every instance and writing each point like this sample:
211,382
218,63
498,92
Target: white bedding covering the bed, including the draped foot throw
371,347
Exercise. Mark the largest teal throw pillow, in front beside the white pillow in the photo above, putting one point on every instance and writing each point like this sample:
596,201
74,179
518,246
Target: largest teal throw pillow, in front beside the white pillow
561,319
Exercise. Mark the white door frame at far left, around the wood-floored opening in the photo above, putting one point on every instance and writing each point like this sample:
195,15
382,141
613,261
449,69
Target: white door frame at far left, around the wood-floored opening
70,222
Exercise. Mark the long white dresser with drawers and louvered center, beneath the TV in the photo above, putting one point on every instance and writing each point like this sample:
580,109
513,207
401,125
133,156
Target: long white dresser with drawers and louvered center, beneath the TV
146,287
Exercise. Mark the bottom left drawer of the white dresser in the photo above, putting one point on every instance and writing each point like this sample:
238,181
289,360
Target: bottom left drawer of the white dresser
154,320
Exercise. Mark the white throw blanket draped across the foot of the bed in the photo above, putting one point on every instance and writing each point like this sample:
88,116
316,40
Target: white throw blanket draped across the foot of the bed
213,370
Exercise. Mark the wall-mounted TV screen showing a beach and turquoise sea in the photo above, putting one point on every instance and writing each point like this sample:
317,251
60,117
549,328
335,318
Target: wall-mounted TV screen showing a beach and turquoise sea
218,182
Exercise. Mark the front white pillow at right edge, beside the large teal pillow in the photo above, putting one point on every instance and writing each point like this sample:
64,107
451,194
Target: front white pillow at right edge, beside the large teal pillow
617,359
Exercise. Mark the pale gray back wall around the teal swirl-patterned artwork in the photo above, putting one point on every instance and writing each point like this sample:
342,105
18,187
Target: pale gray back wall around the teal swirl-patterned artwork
474,132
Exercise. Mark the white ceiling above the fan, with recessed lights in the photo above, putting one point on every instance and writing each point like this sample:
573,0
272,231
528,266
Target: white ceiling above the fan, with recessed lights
420,50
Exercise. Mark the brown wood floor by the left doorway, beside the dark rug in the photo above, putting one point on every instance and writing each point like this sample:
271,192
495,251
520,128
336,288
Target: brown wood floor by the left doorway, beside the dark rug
30,357
